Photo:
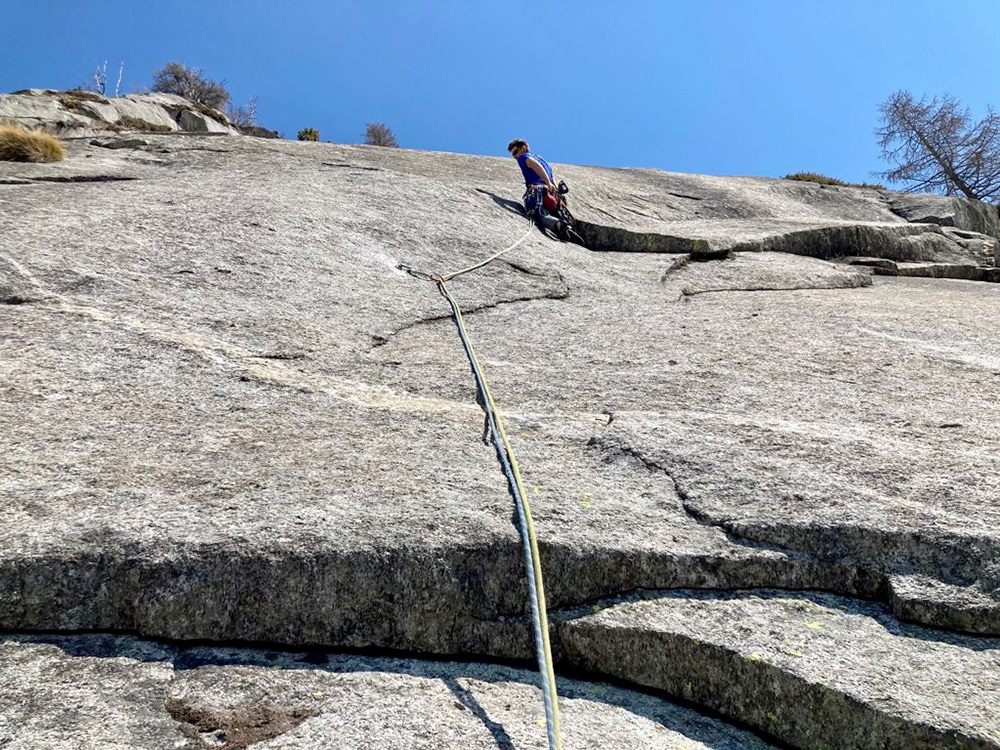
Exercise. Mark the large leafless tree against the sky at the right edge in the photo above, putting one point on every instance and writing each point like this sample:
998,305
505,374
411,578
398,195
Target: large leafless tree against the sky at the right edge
934,146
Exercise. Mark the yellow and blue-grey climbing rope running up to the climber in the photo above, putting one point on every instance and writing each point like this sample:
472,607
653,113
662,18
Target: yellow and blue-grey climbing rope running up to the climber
506,454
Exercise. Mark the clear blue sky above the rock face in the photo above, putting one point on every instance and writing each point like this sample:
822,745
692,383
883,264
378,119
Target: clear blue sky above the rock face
749,87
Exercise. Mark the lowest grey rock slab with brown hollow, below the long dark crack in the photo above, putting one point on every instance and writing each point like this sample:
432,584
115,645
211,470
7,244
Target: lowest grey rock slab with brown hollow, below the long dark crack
121,693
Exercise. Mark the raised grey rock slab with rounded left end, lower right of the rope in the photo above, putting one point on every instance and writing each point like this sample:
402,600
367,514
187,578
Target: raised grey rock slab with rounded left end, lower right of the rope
816,671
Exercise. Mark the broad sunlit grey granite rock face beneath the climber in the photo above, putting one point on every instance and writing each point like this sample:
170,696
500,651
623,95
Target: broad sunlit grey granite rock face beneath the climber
229,413
